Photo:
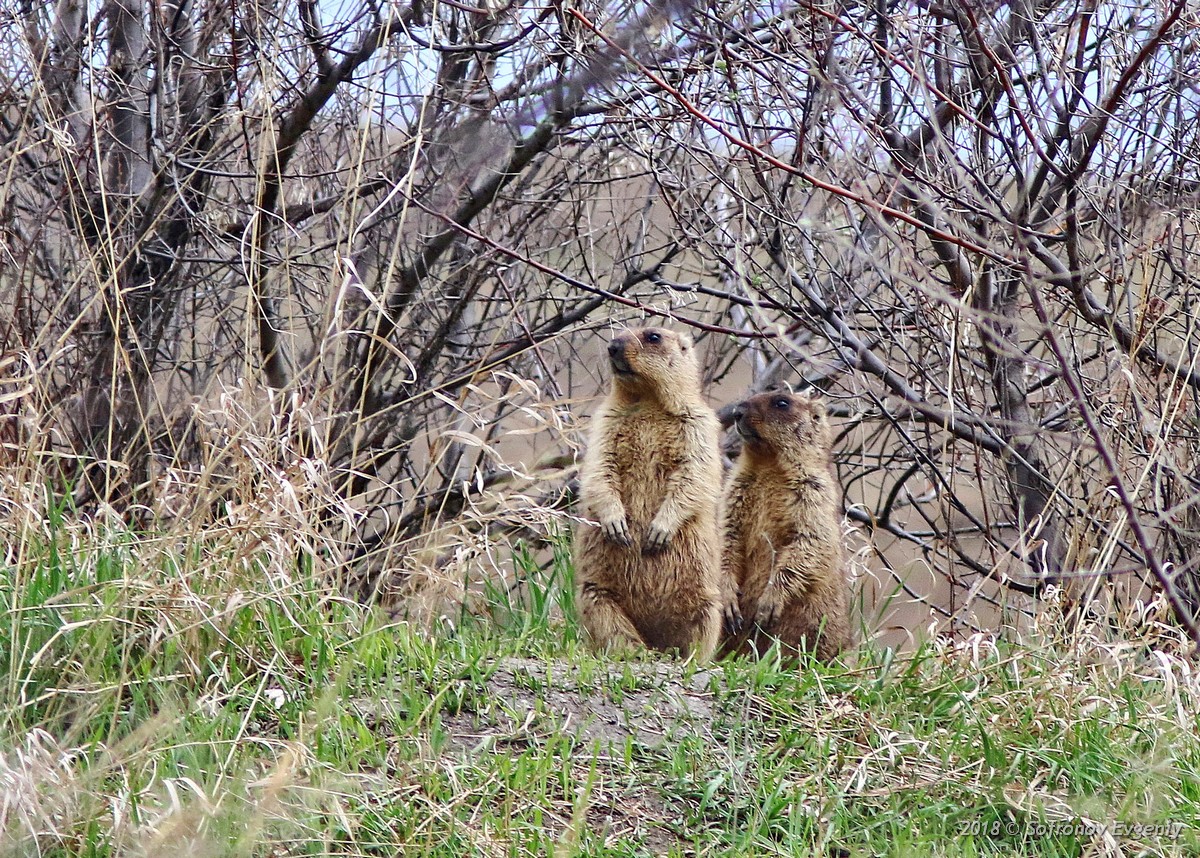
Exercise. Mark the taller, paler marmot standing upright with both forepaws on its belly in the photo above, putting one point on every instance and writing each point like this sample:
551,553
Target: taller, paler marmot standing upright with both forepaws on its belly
649,571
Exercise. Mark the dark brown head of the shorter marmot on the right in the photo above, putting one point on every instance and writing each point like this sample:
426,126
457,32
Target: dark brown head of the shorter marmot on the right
784,424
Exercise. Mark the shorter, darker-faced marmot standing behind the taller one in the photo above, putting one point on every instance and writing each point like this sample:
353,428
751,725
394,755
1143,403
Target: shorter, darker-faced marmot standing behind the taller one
783,531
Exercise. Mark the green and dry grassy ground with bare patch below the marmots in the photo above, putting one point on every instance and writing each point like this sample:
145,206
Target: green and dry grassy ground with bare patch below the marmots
203,699
